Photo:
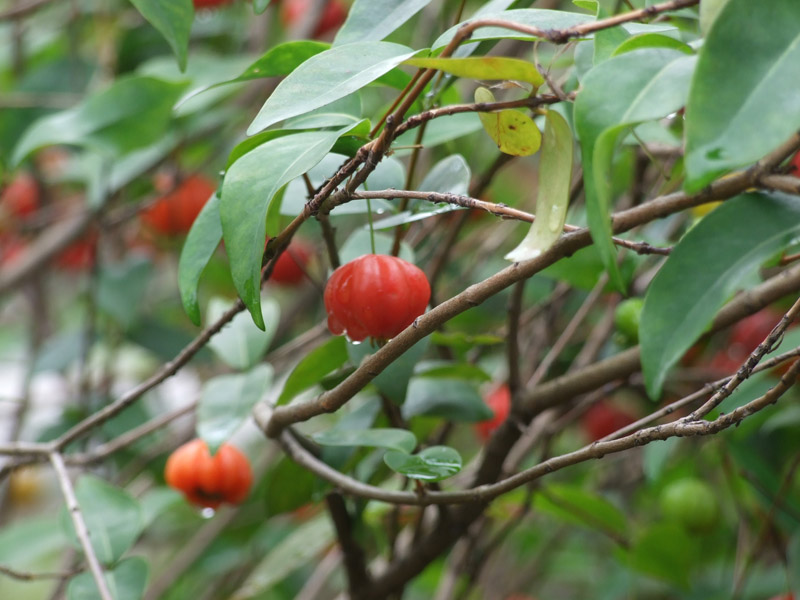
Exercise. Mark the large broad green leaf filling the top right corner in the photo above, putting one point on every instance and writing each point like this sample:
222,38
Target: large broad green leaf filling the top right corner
743,103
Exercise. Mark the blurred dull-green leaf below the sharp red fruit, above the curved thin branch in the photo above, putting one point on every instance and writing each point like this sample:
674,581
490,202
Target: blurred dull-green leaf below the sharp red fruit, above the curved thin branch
451,399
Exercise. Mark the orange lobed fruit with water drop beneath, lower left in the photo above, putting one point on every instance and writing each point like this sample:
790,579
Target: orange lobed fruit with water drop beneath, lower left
208,480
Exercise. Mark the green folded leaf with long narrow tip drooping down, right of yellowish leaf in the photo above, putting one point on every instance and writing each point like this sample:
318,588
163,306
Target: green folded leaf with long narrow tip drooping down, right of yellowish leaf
646,85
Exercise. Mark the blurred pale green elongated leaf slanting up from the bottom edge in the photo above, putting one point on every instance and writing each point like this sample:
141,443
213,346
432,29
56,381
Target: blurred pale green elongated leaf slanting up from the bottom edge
298,548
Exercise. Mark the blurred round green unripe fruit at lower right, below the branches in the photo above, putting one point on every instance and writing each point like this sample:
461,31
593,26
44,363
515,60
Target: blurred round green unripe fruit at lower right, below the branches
691,503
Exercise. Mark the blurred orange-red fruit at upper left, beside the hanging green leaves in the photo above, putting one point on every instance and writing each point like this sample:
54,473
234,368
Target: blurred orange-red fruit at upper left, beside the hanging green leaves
174,213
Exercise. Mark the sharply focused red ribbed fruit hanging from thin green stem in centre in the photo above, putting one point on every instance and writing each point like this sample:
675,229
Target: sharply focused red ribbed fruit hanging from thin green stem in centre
375,296
